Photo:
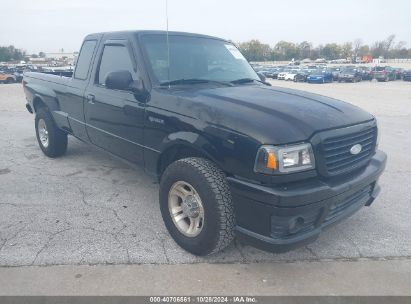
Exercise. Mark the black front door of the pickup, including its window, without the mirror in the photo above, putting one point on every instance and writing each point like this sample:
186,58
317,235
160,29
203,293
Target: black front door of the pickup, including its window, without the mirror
114,118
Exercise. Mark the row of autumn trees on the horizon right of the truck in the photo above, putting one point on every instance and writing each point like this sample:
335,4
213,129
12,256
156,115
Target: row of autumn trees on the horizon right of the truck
254,50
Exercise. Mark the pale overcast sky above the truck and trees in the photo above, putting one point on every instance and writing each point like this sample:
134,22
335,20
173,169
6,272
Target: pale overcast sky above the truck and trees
51,25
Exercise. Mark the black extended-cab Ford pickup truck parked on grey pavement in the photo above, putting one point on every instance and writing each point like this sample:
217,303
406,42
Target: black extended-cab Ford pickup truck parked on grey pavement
234,156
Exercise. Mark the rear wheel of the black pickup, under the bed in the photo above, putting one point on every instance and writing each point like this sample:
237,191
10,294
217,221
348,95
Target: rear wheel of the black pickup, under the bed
52,140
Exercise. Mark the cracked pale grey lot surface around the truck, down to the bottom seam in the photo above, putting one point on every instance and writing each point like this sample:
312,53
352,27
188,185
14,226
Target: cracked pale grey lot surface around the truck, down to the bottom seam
91,208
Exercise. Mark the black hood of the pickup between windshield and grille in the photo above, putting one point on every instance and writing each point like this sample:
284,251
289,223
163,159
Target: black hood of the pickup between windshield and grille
273,114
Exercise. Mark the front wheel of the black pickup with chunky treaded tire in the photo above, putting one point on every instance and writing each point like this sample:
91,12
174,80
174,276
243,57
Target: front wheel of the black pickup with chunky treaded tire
210,188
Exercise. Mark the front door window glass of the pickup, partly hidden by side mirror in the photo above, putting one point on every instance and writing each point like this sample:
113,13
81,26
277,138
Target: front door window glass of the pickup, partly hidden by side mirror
114,58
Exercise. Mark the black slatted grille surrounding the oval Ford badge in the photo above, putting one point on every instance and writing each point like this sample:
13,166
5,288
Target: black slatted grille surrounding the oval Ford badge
336,151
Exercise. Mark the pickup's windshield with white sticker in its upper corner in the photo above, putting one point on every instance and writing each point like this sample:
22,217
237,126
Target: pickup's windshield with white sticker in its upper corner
195,58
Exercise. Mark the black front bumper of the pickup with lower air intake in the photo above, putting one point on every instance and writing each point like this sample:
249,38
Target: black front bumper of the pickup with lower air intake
283,218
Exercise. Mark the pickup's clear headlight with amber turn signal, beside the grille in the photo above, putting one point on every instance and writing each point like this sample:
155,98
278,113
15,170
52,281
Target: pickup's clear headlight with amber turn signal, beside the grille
284,159
